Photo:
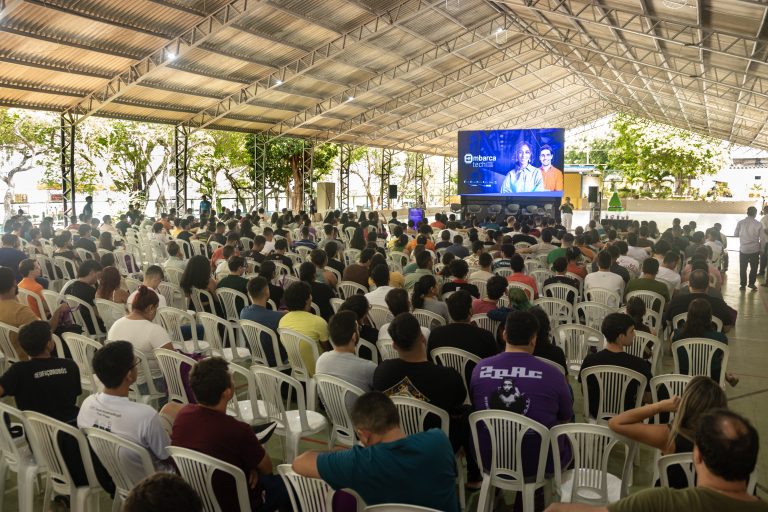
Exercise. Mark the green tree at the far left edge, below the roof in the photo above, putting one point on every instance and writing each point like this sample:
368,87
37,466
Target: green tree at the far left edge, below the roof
25,142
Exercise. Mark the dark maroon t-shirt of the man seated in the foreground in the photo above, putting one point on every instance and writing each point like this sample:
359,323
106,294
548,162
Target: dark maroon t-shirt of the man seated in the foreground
224,437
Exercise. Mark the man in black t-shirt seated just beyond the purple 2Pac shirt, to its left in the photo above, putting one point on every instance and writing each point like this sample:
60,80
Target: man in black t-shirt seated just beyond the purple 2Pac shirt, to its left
461,333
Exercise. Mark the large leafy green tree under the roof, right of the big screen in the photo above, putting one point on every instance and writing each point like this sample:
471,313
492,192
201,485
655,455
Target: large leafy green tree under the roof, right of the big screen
652,154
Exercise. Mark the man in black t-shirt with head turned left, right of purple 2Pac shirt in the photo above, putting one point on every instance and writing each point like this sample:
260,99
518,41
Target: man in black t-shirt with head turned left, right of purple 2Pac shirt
619,332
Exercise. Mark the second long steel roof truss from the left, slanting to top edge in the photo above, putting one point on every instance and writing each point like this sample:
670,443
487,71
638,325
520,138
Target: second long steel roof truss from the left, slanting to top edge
404,11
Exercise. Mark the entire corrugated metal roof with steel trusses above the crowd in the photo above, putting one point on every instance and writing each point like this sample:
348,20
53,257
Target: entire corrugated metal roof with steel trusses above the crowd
400,74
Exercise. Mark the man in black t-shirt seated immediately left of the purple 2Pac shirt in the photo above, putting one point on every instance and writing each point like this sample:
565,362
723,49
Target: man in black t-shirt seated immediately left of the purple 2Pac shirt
412,374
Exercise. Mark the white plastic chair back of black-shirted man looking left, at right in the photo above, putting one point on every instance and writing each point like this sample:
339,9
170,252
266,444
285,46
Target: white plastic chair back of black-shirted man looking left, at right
613,383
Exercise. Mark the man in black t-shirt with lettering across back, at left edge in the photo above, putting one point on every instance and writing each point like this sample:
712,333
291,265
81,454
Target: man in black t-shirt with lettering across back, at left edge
45,384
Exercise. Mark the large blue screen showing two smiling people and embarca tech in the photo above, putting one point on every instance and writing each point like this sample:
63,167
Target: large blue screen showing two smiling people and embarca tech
511,161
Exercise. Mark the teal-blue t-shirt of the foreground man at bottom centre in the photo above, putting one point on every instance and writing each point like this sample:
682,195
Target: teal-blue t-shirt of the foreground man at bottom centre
385,473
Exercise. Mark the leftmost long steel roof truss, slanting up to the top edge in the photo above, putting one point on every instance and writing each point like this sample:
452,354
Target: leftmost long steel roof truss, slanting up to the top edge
160,58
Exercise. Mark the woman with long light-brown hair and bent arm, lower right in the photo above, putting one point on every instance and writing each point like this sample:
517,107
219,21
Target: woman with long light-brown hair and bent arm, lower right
701,395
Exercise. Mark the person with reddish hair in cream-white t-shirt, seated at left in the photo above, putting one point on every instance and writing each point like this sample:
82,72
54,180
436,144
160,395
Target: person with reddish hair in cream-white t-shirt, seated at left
138,328
